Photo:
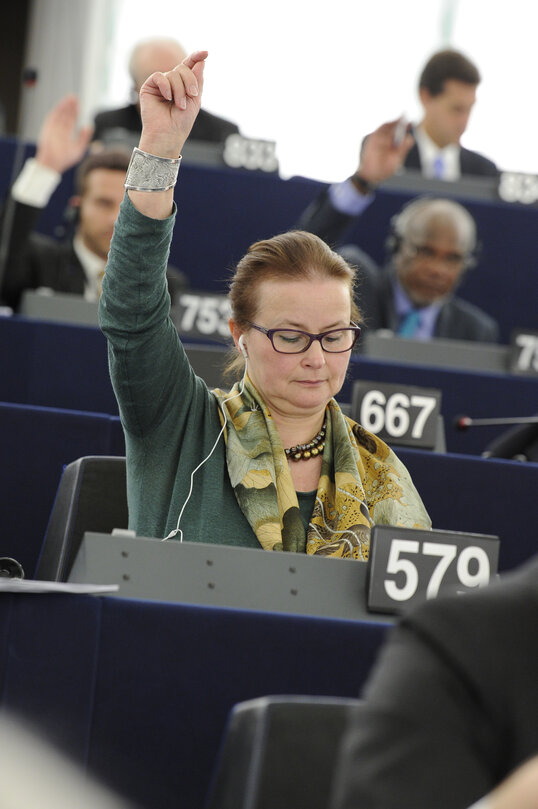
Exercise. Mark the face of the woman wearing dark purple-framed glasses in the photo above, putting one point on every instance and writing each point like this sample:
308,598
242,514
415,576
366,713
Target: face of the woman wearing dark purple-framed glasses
295,384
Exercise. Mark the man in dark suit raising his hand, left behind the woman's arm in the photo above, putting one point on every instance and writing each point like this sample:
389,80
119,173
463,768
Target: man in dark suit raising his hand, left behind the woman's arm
76,264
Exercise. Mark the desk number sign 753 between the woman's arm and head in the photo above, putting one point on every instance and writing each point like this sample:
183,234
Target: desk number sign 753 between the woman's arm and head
198,315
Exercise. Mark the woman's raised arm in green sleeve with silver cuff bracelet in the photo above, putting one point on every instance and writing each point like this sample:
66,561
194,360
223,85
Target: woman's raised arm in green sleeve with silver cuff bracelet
148,367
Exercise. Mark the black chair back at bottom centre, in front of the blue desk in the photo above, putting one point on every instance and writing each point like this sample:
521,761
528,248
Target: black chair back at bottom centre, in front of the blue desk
280,751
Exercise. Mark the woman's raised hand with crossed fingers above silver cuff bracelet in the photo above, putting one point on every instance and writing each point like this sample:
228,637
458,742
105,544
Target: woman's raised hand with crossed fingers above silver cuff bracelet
169,104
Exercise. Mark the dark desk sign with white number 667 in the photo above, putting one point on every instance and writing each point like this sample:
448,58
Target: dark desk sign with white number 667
399,414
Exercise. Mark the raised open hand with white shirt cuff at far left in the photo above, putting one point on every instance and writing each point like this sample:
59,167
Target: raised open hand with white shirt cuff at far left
61,144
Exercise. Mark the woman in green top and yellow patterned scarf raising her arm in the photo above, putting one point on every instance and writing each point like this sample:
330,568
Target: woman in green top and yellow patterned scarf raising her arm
273,463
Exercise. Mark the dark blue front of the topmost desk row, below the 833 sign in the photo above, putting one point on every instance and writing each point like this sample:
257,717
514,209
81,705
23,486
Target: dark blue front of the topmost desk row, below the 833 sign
222,211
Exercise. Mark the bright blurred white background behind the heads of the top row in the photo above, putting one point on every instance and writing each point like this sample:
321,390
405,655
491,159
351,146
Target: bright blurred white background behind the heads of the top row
313,79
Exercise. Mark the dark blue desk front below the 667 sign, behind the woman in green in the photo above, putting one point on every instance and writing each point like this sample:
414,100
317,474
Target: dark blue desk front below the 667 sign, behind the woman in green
461,492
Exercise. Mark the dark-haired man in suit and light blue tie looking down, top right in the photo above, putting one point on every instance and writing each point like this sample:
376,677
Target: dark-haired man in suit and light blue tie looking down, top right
447,91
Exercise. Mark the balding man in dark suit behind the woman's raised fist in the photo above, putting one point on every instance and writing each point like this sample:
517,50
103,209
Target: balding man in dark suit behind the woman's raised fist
124,124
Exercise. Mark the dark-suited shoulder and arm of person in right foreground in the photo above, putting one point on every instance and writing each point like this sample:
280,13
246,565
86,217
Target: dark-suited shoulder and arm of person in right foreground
451,706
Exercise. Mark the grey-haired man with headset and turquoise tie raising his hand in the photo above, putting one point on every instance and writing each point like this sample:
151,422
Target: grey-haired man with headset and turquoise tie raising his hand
431,244
